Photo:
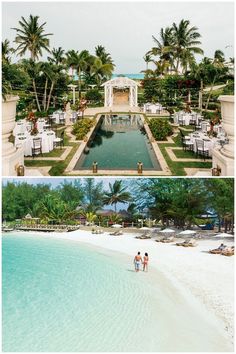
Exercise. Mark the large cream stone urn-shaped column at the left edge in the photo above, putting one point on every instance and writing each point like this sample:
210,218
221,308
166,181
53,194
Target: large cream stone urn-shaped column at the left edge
11,157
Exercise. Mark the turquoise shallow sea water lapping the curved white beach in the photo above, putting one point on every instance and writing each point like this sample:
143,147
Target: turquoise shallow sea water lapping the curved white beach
63,297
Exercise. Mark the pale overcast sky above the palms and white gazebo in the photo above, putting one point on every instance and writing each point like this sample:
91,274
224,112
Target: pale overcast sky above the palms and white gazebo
124,28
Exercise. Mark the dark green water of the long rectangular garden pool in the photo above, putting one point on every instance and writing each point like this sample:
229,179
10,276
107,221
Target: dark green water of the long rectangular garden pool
119,142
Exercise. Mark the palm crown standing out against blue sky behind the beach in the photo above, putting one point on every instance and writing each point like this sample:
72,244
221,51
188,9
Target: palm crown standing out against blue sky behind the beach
116,194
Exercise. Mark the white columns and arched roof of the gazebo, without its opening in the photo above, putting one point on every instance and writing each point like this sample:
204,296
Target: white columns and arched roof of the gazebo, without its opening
121,83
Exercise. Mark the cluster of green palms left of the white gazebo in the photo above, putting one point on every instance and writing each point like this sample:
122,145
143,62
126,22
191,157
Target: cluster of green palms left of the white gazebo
49,79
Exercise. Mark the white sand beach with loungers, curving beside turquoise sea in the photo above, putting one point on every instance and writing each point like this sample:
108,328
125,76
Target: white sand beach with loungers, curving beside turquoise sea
199,281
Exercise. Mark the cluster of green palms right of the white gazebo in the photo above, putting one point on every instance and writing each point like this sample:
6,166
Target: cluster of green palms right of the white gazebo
174,53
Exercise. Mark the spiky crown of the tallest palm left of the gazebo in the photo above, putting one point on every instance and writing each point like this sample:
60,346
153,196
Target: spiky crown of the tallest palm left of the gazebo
30,36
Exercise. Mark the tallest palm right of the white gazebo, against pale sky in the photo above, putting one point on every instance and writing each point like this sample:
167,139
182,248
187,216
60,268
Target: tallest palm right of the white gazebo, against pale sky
185,42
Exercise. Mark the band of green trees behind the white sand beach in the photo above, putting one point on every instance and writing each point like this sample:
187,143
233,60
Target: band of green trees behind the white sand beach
166,201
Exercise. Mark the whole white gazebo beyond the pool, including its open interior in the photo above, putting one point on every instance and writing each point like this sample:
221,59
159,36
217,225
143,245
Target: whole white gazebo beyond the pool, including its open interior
120,91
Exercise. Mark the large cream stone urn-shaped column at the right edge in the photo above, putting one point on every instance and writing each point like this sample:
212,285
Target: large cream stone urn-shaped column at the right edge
223,158
